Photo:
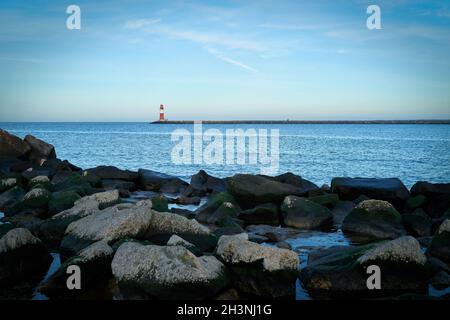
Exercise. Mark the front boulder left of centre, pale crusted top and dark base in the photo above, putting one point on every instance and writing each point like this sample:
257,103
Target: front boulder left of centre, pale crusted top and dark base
168,272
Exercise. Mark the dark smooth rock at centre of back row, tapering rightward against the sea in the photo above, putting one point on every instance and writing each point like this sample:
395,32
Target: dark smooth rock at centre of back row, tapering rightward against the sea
252,190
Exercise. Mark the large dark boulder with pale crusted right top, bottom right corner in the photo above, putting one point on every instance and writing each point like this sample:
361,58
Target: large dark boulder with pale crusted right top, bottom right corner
340,272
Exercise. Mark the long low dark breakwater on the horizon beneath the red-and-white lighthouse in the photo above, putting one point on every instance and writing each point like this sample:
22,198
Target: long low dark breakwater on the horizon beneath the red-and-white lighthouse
305,122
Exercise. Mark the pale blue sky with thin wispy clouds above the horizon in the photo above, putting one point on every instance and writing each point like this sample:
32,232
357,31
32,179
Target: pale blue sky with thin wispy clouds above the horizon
224,60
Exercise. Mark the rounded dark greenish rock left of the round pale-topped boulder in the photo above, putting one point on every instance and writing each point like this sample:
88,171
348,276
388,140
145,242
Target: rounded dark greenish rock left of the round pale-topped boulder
302,213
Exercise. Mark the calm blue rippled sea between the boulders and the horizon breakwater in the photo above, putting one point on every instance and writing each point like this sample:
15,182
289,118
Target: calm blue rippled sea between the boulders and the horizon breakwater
317,152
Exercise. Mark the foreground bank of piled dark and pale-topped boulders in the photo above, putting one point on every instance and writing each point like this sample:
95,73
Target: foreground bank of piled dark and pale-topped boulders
232,246
